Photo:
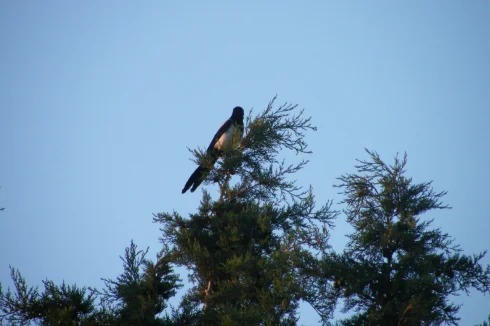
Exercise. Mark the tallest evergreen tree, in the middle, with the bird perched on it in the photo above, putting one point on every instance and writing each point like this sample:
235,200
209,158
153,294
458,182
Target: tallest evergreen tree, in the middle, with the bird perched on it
244,249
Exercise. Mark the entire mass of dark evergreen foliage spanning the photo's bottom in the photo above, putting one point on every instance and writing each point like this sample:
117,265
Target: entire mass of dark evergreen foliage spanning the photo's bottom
262,246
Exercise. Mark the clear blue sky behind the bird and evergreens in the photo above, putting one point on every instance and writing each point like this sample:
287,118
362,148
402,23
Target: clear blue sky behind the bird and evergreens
99,101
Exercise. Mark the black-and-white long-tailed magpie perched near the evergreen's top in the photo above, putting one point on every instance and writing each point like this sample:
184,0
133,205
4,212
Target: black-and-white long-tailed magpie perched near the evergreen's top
227,137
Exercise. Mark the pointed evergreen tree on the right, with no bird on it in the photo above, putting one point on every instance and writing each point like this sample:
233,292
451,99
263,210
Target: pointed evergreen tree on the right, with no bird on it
397,270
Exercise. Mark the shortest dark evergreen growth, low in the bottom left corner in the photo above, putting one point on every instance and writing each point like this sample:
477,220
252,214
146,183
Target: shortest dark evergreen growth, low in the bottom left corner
137,297
